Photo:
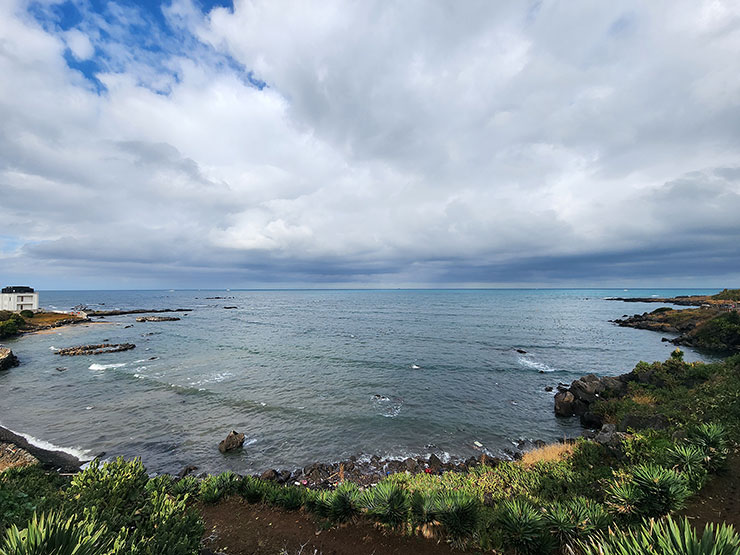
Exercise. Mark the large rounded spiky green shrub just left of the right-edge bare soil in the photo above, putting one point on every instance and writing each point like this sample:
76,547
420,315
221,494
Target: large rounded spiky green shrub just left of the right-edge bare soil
650,491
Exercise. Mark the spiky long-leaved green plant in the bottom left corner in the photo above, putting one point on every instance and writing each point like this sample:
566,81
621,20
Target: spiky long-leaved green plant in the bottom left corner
52,534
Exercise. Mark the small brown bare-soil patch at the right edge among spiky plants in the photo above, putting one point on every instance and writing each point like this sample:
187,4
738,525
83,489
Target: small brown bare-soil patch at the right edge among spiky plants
719,500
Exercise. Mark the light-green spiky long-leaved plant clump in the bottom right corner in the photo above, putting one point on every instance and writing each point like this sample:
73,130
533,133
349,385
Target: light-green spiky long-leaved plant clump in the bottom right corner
665,537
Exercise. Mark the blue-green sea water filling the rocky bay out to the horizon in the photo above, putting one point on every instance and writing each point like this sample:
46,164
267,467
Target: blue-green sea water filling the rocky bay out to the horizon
319,375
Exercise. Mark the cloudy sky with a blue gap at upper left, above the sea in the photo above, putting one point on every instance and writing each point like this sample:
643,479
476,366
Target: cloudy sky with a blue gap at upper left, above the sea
194,143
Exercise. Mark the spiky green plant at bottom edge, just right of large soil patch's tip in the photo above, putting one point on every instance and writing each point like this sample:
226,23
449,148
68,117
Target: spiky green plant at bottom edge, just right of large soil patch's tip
522,527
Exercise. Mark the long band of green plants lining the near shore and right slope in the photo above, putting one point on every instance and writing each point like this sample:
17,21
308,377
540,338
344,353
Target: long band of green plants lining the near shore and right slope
583,497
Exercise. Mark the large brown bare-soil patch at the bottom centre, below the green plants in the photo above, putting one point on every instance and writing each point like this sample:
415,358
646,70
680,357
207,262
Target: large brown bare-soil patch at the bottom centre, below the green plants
238,528
